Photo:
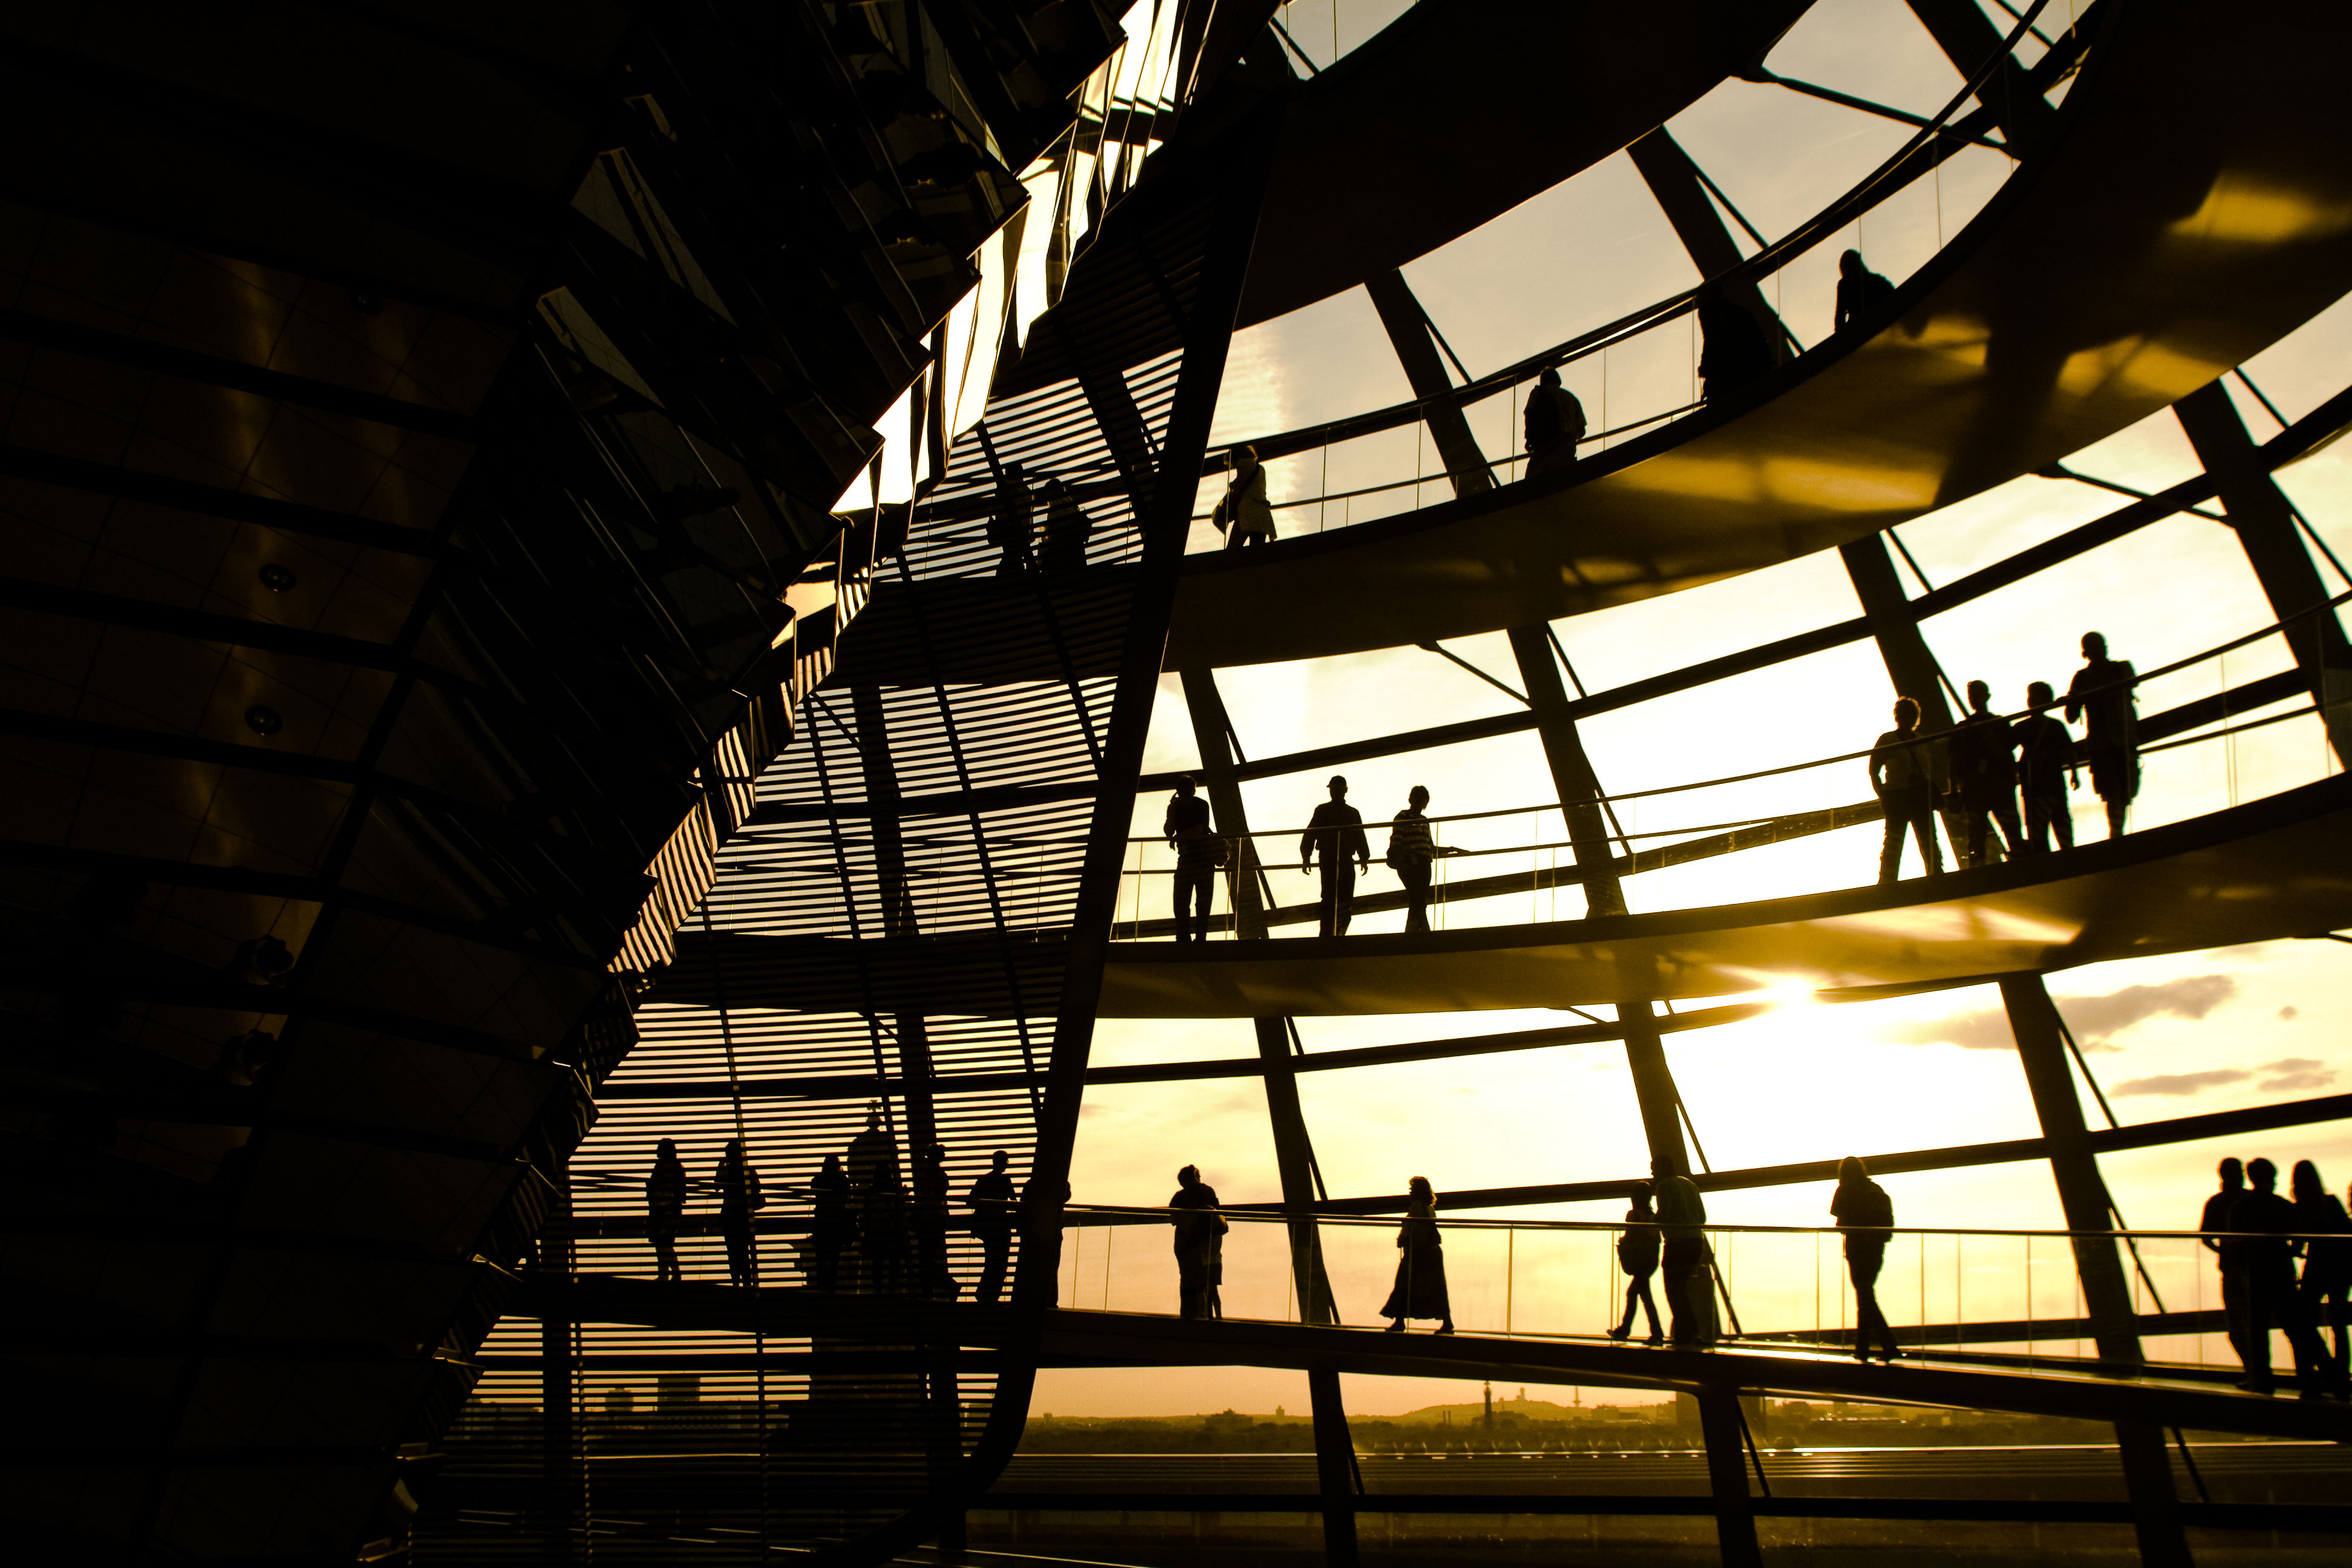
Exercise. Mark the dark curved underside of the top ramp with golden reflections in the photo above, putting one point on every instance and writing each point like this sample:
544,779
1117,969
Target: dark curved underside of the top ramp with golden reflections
2186,217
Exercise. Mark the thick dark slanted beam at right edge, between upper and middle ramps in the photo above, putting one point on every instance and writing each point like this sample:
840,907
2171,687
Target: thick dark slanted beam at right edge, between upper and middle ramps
2266,530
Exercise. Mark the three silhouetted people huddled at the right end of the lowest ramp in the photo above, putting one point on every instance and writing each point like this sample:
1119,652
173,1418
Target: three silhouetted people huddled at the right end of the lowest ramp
2257,1238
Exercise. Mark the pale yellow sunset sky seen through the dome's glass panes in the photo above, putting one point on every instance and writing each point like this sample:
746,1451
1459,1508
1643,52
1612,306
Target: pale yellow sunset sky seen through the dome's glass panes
2167,1038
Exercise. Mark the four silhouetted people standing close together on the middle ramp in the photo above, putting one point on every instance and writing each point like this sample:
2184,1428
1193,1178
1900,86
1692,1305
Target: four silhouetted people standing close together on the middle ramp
1986,765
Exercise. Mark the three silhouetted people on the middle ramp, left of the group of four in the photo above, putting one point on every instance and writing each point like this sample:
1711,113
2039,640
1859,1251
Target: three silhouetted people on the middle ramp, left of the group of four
1335,843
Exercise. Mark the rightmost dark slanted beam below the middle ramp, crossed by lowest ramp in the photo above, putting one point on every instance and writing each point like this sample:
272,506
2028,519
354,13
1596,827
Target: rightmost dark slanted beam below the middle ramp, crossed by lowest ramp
2083,1198
